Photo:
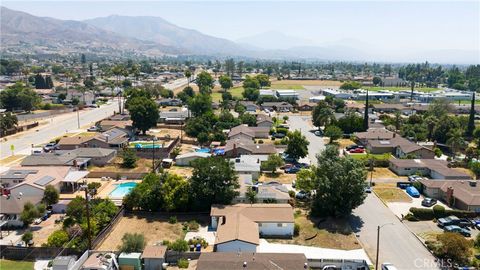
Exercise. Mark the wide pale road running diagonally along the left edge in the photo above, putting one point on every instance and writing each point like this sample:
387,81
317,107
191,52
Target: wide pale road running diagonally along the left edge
58,126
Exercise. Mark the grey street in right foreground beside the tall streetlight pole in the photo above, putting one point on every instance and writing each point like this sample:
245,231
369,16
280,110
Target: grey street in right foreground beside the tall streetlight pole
397,244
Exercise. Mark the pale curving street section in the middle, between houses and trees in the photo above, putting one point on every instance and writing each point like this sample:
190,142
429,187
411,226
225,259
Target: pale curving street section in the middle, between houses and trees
317,144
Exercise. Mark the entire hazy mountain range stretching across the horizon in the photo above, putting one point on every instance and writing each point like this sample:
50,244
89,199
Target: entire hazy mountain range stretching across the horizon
154,36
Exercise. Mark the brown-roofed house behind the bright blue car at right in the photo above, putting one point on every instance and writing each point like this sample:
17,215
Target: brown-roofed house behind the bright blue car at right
436,169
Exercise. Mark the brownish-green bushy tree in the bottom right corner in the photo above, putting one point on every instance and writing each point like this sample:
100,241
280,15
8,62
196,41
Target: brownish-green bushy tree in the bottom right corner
455,247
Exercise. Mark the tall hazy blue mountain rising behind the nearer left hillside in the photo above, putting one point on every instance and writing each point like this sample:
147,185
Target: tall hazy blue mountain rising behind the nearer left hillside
158,30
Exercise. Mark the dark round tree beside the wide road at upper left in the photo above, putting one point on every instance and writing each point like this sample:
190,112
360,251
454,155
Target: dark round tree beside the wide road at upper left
144,113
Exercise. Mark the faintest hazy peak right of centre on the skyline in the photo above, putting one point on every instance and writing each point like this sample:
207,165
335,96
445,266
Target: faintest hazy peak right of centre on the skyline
274,40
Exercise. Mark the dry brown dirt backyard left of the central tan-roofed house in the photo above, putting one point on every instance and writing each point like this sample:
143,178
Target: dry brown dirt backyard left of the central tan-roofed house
155,228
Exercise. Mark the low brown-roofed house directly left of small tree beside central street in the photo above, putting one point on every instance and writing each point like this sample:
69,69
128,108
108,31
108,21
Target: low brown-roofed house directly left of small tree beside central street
237,147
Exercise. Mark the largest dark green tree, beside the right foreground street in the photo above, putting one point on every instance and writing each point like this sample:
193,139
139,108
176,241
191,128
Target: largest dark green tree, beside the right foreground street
339,183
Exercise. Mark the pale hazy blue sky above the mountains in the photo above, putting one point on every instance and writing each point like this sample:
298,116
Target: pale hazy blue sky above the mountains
417,25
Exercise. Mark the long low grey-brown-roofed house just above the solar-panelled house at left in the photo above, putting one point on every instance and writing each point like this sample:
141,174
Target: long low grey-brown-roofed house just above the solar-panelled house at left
80,157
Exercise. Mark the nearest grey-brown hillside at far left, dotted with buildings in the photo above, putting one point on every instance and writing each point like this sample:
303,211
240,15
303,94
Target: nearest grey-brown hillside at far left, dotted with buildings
22,29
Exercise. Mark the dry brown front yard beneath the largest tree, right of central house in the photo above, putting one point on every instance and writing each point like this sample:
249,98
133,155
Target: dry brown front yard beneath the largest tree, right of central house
329,234
